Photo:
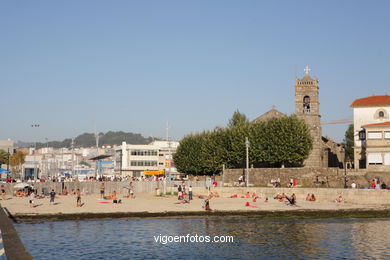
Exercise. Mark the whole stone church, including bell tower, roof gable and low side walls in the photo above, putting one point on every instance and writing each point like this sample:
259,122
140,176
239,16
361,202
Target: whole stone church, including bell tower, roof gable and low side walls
325,152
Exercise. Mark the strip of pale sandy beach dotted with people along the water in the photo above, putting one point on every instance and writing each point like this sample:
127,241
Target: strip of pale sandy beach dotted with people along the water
152,205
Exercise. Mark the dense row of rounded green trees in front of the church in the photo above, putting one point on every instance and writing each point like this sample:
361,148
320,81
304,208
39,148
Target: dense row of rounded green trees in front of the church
277,142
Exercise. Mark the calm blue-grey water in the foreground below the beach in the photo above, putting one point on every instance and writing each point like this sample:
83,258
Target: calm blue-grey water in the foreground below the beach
253,238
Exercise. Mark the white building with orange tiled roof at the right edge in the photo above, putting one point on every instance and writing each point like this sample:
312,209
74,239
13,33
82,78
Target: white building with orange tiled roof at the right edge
372,133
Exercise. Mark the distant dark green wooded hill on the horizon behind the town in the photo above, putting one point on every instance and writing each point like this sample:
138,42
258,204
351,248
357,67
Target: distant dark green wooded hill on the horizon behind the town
109,138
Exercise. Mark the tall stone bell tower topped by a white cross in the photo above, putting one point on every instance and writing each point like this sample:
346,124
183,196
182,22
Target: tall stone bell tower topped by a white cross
307,107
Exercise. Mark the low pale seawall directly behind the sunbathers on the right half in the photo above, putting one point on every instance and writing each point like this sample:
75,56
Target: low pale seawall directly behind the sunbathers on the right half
358,196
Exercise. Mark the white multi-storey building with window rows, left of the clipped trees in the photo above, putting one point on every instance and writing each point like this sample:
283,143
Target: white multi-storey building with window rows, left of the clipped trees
134,159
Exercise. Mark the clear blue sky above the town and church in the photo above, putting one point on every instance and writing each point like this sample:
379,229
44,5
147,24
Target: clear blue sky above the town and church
76,66
